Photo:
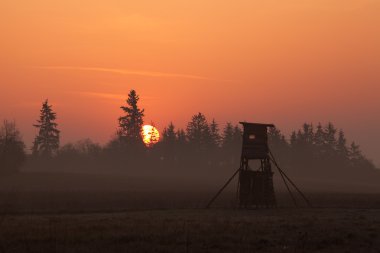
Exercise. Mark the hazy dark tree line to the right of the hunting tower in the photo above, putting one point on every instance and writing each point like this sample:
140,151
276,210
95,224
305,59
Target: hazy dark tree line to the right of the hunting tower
320,149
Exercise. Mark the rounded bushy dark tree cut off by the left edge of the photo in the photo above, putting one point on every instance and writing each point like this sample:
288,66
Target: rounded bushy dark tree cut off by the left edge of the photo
12,148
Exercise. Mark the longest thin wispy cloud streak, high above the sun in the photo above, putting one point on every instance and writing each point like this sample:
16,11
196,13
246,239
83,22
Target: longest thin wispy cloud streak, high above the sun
131,72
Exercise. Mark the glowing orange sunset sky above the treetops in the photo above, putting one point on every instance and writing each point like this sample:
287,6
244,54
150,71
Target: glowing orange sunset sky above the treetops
284,62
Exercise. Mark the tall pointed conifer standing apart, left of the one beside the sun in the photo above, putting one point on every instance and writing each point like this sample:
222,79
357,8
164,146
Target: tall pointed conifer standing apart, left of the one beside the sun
46,143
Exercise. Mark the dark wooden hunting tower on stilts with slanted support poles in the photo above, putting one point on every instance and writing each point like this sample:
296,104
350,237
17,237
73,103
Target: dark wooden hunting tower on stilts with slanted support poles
255,186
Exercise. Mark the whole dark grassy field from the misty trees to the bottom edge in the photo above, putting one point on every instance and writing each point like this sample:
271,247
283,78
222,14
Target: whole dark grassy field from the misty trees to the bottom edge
42,212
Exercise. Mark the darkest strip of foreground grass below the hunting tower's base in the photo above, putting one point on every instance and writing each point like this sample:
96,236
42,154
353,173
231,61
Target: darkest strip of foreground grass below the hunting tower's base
213,230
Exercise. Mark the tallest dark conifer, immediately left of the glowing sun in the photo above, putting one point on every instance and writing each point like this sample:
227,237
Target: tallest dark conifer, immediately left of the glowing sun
130,125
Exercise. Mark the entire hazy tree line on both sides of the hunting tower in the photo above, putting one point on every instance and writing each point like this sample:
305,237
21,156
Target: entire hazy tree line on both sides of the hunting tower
204,145
